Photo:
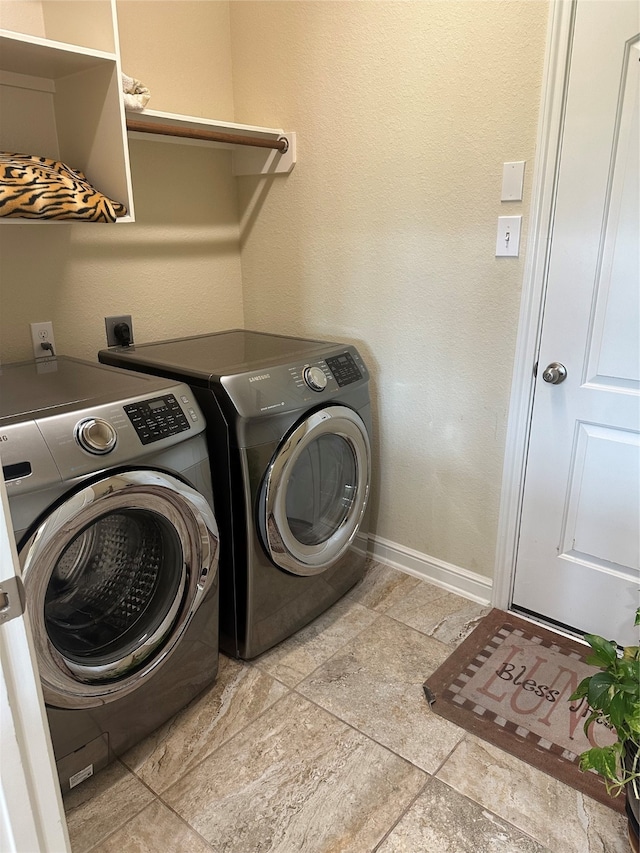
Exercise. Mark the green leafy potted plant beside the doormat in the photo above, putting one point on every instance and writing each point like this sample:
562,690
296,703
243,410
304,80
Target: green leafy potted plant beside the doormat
613,695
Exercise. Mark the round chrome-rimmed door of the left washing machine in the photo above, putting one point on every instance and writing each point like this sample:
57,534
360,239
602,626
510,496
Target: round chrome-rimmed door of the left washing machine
113,577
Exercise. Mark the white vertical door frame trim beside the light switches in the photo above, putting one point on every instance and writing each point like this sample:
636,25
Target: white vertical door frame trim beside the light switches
545,177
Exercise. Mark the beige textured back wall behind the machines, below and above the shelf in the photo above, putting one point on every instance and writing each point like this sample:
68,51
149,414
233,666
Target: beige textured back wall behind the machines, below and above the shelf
177,269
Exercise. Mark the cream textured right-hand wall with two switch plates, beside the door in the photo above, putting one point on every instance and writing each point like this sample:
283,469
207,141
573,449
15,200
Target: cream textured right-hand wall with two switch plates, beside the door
384,233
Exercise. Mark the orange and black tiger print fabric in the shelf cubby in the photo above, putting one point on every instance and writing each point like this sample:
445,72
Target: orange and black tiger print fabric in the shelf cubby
39,188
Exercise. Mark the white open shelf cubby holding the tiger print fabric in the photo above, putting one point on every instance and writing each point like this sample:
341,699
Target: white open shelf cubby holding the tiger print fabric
64,101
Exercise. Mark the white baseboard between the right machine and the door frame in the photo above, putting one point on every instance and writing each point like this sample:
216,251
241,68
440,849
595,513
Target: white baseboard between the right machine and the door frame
445,575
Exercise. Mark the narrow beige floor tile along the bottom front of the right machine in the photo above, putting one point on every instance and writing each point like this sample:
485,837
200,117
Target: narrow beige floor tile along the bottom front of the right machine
298,656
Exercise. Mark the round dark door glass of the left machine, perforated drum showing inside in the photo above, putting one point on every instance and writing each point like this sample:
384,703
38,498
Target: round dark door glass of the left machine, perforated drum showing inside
118,582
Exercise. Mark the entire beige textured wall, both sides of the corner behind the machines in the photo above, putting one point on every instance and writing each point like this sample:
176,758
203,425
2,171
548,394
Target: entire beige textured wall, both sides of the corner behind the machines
383,234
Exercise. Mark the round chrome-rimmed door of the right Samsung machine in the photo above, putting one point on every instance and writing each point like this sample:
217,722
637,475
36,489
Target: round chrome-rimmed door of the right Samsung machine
315,491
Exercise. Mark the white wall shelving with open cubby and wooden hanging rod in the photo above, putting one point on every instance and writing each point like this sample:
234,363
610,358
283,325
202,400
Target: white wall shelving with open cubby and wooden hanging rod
61,97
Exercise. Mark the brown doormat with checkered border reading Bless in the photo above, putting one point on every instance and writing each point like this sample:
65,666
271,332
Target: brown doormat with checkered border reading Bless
509,683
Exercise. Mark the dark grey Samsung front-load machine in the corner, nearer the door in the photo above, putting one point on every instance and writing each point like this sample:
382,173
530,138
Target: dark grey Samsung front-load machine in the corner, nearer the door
289,423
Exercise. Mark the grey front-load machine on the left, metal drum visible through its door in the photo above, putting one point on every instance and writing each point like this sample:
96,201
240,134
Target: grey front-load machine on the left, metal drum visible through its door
109,488
